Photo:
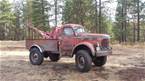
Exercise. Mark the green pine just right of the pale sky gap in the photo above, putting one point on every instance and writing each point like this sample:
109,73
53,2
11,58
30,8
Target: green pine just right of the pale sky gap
120,28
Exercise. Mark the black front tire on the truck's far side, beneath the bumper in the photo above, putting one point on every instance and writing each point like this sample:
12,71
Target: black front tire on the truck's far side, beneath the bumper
100,61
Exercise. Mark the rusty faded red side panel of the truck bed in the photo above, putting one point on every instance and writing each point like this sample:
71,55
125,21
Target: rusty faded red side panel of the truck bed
46,44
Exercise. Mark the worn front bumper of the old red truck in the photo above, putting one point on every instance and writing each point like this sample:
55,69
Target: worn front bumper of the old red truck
103,51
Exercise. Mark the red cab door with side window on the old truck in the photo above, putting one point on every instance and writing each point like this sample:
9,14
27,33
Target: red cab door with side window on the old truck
67,41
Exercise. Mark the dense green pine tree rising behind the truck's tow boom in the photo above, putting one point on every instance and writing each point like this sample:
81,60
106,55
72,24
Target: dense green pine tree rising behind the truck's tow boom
40,17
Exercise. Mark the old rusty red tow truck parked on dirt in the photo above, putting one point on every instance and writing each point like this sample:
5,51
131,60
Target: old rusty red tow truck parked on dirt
70,40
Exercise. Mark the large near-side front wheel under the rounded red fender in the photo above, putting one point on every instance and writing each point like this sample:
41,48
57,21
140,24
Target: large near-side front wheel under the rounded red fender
83,61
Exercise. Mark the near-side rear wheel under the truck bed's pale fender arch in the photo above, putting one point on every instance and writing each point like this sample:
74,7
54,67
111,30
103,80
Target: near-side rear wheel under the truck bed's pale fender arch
36,57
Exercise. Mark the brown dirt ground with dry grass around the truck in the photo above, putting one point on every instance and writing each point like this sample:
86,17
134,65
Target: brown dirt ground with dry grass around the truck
127,63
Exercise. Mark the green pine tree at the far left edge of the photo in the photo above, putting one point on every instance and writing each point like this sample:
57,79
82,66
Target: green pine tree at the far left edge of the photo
6,20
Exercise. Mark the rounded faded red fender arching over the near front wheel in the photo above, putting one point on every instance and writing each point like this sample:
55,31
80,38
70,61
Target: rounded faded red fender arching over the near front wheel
86,44
